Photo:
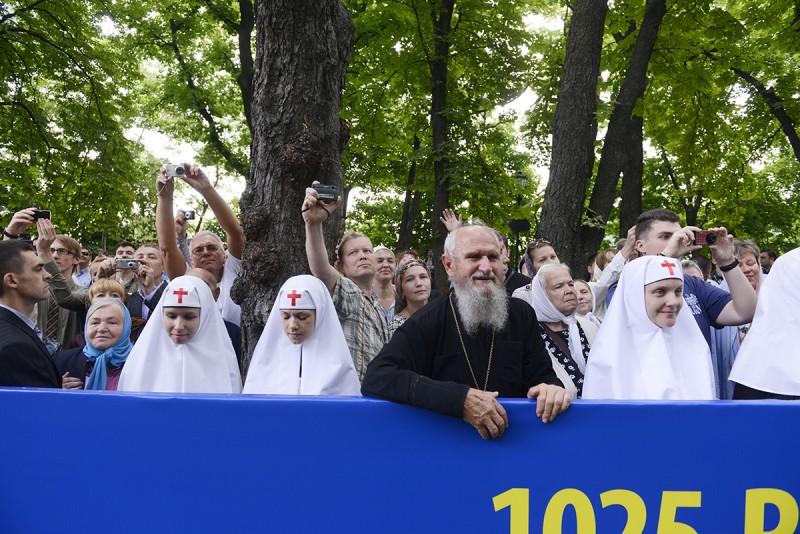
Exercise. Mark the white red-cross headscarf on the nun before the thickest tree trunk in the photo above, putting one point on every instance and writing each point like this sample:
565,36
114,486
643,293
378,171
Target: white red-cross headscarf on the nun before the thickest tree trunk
327,366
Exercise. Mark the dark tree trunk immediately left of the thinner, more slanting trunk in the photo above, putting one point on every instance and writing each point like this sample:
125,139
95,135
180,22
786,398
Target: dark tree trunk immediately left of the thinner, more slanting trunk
574,130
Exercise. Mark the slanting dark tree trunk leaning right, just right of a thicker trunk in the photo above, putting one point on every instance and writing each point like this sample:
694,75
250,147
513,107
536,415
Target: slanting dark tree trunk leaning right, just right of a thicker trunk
618,151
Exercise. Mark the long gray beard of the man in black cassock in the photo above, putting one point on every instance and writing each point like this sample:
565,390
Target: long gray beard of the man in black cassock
477,308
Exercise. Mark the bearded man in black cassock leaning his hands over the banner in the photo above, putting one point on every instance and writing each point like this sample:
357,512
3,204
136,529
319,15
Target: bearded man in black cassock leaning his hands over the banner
462,351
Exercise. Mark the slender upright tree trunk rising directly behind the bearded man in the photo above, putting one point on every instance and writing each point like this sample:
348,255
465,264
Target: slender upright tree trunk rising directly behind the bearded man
441,19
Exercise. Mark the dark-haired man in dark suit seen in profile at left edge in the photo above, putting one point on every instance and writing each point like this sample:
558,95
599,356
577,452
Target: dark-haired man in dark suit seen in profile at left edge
24,359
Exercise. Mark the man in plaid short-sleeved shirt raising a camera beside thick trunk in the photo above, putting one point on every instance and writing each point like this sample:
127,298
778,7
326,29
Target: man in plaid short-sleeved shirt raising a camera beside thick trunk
357,305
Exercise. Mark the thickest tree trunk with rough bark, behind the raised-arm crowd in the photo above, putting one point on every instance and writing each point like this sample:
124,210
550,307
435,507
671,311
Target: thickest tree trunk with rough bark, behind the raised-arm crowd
302,51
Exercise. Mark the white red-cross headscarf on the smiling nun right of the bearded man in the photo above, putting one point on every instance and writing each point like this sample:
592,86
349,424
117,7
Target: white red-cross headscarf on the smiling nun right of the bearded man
633,358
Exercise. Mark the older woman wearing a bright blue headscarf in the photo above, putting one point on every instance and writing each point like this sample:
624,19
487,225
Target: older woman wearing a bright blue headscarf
99,363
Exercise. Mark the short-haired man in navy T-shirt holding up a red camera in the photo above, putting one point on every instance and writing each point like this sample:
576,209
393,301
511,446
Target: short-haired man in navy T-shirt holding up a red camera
658,232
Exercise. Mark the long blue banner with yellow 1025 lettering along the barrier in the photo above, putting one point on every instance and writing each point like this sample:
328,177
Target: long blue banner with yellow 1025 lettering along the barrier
110,462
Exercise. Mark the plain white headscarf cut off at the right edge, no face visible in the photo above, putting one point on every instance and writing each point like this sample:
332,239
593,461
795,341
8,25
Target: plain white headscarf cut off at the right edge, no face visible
768,358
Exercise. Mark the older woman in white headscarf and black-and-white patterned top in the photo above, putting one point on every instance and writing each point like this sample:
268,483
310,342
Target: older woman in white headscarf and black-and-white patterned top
566,336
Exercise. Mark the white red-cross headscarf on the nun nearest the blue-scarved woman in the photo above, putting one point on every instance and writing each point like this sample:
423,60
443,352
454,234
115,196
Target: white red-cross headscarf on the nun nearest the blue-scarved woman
204,364
